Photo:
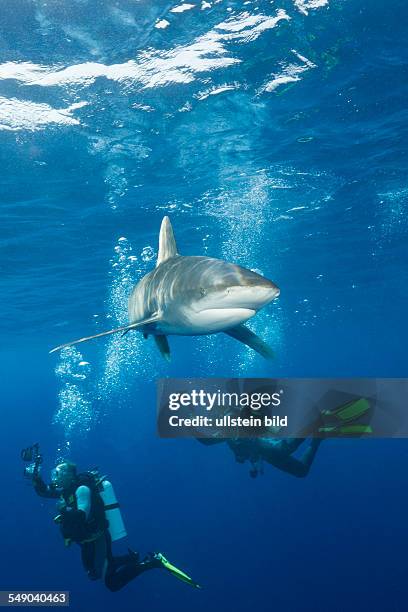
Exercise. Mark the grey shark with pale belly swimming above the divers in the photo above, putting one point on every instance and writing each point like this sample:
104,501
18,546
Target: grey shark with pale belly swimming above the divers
192,296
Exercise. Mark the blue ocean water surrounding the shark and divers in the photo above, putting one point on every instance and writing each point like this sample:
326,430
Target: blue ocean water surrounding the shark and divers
274,135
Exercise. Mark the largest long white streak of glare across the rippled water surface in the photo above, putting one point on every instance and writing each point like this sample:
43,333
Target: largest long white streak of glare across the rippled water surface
153,68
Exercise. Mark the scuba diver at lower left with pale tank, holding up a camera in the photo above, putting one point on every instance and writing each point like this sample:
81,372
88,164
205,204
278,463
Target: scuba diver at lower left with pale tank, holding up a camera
88,514
